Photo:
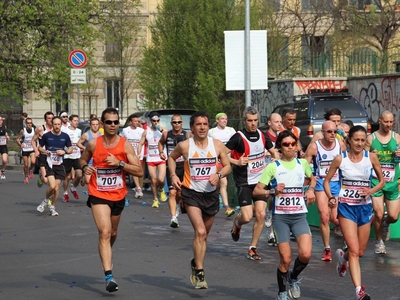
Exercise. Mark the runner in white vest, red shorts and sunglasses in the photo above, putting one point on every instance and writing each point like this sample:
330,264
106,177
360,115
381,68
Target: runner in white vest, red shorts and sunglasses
155,164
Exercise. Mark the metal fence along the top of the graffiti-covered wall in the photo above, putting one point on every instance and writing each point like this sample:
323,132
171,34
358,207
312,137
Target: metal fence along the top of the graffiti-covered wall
356,63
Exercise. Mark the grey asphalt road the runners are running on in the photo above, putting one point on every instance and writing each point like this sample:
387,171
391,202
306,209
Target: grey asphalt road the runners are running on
44,257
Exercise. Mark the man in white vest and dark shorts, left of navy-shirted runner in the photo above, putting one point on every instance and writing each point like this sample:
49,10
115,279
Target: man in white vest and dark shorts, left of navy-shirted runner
24,140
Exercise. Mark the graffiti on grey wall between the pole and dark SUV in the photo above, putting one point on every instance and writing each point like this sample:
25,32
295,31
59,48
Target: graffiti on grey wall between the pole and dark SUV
266,100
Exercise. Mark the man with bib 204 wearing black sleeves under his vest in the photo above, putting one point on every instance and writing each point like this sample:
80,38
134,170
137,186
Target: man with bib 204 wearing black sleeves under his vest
247,148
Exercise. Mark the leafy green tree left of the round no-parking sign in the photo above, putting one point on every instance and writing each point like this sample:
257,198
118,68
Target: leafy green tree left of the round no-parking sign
36,37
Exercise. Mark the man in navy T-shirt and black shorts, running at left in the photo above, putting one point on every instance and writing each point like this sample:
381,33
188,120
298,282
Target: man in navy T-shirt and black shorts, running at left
54,144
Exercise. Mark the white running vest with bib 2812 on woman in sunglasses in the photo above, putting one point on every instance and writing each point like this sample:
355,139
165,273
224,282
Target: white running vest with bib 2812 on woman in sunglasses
291,201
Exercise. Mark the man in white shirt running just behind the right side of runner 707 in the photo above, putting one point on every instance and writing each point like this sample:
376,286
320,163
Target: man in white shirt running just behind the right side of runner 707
133,133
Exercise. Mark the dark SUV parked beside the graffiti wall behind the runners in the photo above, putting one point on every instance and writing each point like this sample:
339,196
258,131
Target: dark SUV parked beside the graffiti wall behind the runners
311,108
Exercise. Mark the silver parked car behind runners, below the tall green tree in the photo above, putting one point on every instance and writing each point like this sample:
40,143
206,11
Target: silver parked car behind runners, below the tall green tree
166,115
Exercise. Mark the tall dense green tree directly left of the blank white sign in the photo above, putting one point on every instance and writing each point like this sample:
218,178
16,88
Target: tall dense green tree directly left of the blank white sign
184,65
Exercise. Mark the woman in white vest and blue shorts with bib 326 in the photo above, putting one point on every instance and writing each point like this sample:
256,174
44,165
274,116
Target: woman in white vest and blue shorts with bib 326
355,208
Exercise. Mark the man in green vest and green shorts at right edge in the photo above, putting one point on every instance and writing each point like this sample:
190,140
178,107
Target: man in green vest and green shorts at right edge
385,143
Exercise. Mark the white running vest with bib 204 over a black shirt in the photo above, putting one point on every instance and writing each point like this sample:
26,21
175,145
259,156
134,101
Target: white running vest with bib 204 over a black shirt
256,157
